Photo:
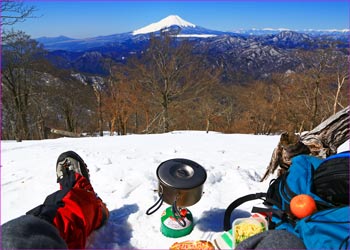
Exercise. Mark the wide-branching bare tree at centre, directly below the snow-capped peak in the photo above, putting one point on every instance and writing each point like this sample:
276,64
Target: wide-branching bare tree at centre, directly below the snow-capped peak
171,73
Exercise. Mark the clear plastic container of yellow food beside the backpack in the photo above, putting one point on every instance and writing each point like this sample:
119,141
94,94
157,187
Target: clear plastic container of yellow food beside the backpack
244,228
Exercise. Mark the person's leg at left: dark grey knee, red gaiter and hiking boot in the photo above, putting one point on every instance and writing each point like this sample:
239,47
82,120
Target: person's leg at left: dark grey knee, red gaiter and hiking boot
72,212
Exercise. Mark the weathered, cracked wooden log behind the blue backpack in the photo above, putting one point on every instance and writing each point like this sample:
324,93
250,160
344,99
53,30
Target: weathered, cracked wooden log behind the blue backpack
322,141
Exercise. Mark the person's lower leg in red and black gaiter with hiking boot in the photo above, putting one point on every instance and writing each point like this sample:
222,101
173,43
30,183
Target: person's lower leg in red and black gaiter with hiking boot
75,210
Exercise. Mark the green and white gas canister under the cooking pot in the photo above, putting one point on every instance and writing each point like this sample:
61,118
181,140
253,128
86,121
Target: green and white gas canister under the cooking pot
171,228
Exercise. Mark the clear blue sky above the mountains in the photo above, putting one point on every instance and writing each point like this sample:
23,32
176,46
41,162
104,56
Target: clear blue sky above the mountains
82,19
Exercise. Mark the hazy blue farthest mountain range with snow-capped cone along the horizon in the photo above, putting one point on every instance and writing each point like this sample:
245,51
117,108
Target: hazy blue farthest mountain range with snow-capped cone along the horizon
175,24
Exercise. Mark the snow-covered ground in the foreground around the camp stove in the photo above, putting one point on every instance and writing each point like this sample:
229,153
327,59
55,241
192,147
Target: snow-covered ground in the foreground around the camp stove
123,173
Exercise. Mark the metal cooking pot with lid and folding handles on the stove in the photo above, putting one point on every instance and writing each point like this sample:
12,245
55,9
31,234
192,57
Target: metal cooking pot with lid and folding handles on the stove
180,184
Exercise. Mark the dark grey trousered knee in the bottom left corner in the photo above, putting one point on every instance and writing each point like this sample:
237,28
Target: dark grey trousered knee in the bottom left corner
30,232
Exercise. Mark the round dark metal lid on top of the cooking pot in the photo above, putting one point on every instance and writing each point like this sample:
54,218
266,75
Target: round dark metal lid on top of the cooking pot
181,173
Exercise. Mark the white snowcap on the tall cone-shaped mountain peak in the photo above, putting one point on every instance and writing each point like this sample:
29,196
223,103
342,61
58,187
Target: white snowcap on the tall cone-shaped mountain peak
164,23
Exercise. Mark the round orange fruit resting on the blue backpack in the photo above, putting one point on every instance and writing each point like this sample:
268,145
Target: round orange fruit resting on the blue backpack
302,205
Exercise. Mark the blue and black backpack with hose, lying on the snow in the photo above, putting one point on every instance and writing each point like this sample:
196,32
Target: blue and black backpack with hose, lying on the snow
327,181
